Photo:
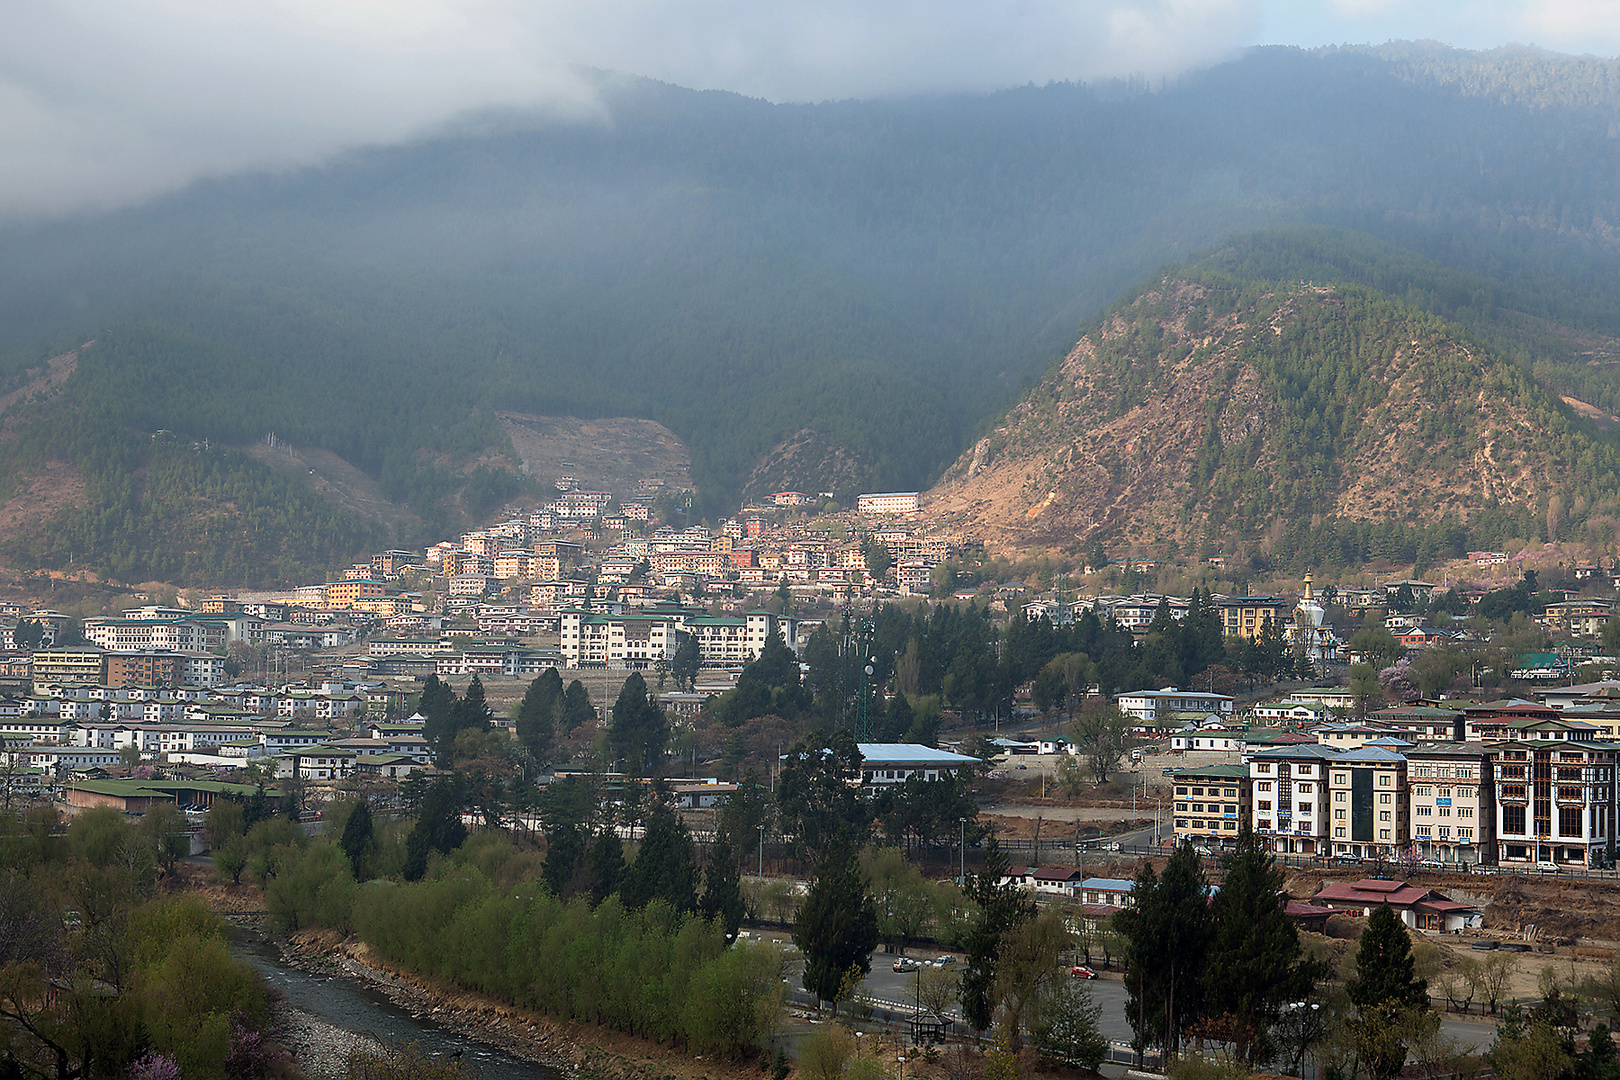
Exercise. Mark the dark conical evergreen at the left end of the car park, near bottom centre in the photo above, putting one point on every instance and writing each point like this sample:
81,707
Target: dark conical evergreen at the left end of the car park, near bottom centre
838,925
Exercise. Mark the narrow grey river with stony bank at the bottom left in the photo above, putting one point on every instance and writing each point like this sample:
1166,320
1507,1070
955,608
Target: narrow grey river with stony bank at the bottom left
335,1014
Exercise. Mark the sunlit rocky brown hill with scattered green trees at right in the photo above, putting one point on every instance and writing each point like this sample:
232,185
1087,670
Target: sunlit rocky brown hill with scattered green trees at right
1211,414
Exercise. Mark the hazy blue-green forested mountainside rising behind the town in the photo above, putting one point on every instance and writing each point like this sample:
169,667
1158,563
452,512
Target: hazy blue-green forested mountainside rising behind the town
840,294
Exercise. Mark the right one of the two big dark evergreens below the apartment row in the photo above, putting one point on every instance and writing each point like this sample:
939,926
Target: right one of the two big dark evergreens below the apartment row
1255,964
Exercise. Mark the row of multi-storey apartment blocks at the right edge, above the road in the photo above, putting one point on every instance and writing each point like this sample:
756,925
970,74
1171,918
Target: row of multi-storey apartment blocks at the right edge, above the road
1454,783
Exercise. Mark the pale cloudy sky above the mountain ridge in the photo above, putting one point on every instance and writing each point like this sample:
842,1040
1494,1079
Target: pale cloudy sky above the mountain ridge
104,103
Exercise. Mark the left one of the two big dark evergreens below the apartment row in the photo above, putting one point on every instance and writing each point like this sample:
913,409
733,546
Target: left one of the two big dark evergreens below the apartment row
1167,935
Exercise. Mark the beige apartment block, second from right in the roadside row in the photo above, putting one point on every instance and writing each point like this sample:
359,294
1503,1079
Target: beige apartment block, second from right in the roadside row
1452,802
